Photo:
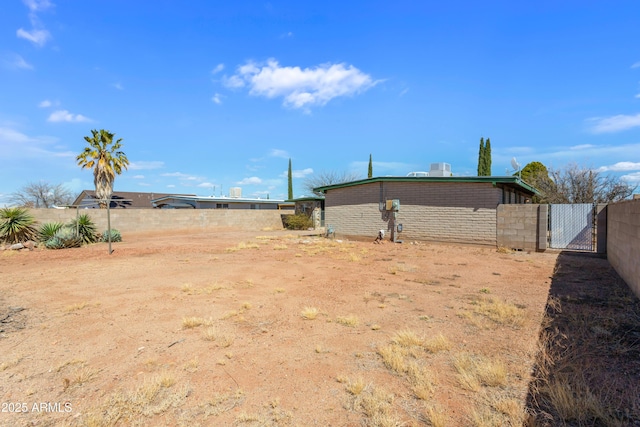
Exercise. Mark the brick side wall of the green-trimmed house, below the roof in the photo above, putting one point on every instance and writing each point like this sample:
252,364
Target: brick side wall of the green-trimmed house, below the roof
448,212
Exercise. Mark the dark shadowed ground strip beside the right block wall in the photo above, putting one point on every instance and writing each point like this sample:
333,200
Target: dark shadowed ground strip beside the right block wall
587,370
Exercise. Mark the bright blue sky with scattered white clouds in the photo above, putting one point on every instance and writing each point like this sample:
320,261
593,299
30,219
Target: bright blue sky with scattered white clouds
212,95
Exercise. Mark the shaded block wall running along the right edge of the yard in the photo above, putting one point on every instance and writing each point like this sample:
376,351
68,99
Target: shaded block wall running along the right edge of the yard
623,241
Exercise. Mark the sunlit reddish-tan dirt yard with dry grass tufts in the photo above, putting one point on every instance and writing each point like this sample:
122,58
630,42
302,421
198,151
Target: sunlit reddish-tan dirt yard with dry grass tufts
269,328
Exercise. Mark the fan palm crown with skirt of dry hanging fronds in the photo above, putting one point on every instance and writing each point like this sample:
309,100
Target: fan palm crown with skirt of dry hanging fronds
104,157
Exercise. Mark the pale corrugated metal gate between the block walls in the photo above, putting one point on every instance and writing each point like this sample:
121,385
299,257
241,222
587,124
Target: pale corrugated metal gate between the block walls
572,226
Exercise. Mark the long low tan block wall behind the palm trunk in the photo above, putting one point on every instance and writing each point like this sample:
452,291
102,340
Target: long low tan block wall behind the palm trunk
127,220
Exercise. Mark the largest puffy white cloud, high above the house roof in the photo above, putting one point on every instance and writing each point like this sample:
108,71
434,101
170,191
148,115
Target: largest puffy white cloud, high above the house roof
301,88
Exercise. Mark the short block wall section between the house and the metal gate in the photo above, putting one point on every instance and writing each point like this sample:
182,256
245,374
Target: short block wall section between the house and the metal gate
517,227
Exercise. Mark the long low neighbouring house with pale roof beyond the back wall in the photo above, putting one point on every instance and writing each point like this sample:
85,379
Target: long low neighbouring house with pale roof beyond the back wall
173,201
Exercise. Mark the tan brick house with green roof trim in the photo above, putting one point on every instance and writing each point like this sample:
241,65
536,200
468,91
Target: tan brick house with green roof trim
450,209
